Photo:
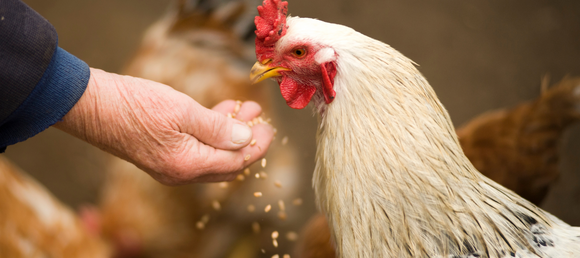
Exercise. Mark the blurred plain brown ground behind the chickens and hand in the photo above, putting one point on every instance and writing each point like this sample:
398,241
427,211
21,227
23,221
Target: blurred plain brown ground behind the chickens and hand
478,55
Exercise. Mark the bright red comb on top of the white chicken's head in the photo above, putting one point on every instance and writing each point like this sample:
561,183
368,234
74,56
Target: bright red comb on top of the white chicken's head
271,26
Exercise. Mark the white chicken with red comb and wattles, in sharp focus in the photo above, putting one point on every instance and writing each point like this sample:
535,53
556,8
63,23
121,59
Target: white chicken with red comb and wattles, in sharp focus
390,174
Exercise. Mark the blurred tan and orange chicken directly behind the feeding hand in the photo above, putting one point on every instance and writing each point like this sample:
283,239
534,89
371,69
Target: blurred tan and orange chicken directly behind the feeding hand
198,48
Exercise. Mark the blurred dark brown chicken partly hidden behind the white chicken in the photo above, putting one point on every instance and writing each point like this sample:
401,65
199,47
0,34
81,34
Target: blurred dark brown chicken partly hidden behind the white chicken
516,147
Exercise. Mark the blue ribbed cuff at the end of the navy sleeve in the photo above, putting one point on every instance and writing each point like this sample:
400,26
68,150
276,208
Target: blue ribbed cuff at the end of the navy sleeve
61,86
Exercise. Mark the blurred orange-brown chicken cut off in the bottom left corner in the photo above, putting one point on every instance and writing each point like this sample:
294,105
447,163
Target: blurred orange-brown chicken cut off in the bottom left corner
34,224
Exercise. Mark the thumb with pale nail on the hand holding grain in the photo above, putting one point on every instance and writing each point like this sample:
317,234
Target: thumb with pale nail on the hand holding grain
218,130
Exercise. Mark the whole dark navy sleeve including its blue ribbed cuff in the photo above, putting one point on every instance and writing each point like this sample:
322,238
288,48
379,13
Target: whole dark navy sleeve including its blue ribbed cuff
39,82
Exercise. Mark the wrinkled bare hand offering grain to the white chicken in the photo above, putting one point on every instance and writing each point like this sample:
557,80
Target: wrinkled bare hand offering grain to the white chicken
165,132
